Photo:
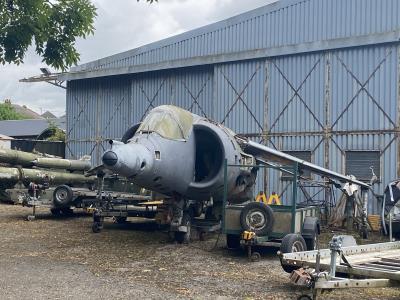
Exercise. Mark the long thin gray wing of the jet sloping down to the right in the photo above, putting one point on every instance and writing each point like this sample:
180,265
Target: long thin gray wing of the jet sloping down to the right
264,153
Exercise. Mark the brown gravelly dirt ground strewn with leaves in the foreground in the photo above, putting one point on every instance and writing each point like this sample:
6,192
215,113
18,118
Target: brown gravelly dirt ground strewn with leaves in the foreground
60,258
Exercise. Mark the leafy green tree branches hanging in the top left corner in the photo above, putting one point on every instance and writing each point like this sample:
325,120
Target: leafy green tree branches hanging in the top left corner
51,25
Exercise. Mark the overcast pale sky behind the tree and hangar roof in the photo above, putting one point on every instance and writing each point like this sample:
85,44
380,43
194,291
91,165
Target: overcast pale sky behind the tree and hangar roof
120,25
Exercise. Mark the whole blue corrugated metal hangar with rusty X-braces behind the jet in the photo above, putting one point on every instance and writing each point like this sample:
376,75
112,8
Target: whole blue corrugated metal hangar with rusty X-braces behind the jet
320,78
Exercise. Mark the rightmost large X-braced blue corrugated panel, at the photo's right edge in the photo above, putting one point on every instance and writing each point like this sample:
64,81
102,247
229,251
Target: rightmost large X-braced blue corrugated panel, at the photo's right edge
364,88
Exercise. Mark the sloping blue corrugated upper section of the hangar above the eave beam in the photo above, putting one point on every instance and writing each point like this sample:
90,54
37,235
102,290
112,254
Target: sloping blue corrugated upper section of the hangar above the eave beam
285,23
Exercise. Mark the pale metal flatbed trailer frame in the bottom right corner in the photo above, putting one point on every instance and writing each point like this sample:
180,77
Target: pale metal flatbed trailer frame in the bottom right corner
381,273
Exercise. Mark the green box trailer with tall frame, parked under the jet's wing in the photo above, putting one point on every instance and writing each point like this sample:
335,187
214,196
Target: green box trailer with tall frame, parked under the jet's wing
293,228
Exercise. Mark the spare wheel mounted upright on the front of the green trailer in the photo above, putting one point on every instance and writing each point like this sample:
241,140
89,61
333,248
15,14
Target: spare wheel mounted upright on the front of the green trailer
257,217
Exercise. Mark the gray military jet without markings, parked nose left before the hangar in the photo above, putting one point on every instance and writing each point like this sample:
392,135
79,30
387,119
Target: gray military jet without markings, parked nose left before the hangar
181,155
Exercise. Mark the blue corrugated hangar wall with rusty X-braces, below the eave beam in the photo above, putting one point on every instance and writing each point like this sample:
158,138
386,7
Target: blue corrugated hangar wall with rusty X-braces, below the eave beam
360,85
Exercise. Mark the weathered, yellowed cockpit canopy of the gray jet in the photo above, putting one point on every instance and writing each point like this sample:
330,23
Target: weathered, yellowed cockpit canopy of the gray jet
168,121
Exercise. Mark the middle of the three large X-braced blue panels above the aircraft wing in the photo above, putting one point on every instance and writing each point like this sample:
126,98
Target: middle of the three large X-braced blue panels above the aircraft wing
297,93
